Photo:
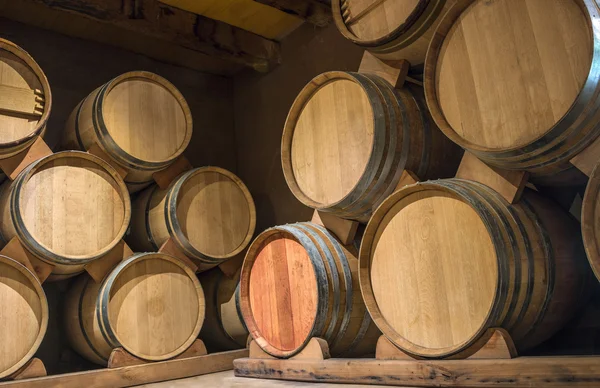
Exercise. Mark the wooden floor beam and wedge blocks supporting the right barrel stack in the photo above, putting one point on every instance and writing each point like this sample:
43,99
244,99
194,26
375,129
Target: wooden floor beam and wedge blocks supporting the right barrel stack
491,362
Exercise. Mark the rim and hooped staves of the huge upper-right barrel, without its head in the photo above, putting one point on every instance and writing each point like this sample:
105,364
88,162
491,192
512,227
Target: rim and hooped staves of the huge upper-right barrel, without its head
549,154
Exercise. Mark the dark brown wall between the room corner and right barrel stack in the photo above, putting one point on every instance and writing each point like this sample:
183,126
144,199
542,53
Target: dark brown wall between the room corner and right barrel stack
261,106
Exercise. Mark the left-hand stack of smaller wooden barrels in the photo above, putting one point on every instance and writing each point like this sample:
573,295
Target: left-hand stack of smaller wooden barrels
65,214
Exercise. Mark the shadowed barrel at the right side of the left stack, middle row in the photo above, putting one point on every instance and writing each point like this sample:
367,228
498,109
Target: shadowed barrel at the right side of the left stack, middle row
208,211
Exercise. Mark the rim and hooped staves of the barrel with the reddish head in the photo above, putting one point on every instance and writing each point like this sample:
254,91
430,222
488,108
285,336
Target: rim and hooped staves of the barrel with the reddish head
347,336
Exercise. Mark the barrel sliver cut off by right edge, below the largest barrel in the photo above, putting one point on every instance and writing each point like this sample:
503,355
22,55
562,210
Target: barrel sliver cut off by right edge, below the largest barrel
590,221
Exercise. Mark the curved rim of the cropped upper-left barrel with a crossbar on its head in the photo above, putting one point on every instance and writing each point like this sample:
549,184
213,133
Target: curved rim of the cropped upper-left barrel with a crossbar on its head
12,148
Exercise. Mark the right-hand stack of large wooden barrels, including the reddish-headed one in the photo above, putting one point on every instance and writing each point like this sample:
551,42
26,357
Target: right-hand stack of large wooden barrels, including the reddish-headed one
441,261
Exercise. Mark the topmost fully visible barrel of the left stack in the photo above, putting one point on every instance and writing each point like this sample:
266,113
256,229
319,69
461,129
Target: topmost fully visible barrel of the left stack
139,119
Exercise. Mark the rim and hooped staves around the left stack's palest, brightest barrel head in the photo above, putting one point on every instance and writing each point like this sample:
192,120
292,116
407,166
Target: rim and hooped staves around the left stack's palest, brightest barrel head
64,266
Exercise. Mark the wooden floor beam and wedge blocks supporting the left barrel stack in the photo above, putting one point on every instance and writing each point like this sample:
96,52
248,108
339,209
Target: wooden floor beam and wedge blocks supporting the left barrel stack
124,369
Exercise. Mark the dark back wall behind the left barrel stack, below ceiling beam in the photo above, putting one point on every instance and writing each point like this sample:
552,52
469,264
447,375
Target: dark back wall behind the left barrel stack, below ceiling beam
75,67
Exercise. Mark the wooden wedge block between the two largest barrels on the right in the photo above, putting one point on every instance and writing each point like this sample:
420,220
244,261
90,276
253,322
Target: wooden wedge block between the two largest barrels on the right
509,184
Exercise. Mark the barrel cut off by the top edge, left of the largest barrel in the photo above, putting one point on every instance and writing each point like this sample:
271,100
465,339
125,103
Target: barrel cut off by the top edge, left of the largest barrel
390,29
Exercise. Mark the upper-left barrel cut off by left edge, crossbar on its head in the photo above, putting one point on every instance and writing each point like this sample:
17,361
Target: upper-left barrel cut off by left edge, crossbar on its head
25,100
